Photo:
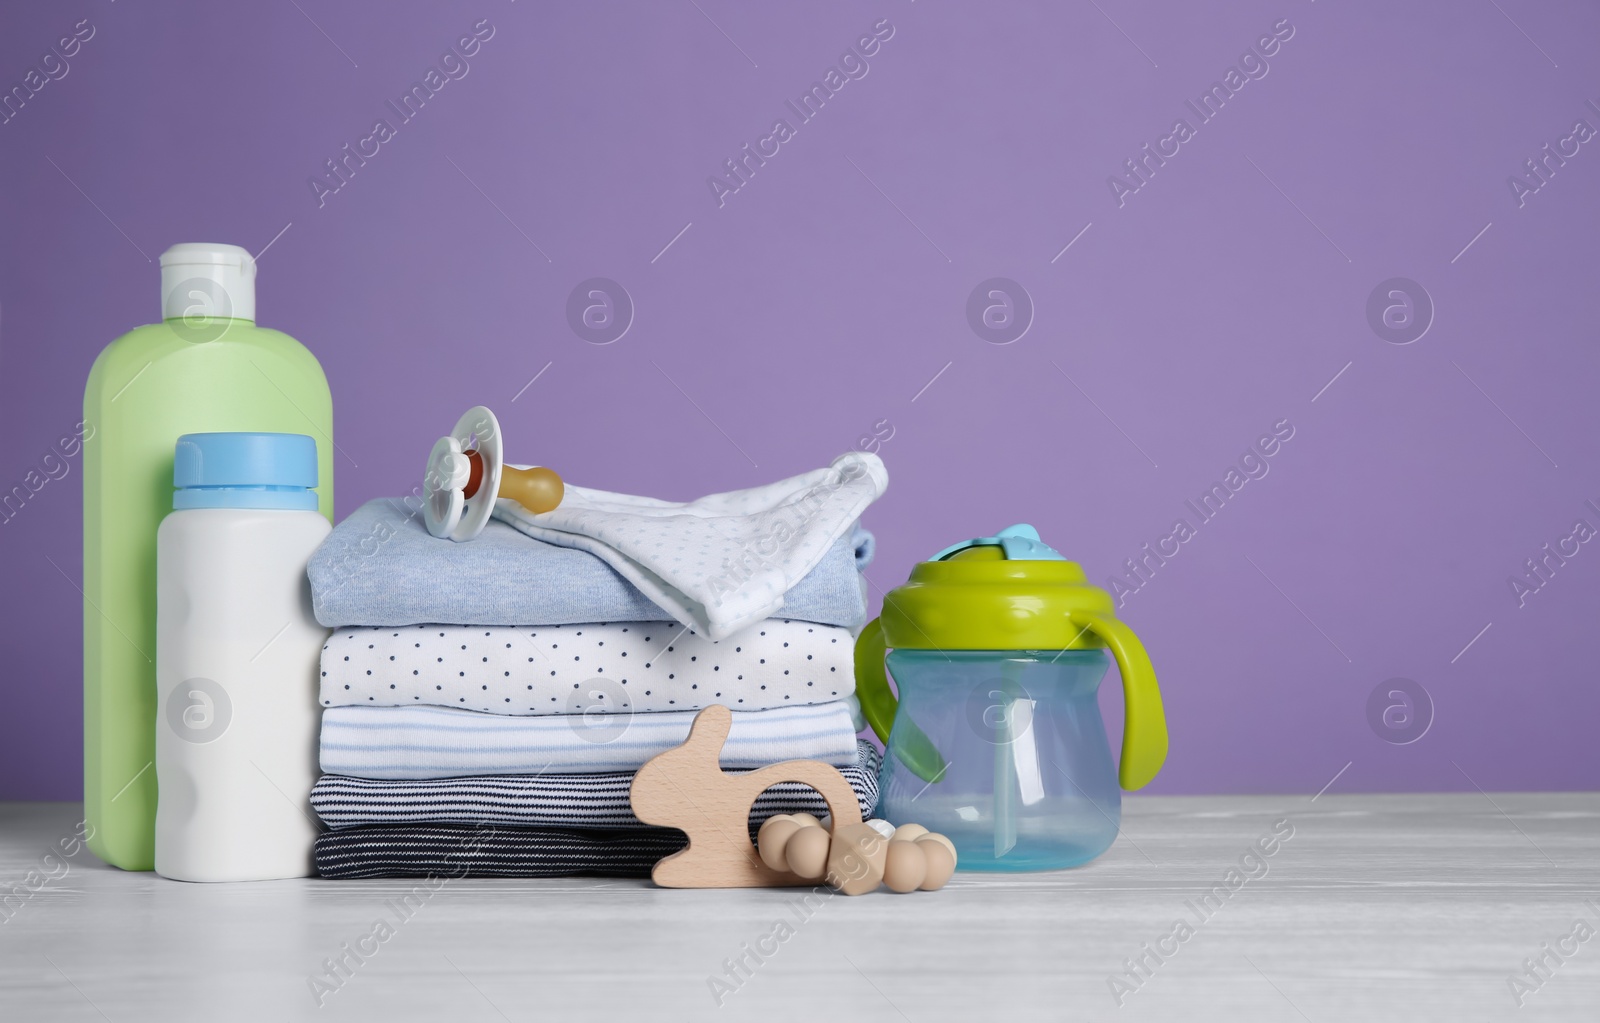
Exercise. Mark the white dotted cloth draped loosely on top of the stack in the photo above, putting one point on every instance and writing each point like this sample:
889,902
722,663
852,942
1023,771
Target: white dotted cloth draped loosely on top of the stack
722,563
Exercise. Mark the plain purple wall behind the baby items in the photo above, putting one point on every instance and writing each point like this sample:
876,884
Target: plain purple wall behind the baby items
830,294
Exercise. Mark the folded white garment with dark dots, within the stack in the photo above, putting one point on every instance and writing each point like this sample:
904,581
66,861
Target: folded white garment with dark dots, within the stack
618,668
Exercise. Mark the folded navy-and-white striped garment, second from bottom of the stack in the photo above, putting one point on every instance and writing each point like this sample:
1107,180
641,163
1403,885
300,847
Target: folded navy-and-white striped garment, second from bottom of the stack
551,801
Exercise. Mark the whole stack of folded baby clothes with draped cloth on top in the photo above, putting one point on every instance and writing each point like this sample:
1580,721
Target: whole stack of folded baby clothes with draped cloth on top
487,704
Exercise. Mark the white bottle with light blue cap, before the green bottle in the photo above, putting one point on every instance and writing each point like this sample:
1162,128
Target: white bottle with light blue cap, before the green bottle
236,660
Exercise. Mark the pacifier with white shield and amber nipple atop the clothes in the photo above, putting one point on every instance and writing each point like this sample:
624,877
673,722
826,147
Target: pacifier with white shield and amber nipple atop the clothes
468,471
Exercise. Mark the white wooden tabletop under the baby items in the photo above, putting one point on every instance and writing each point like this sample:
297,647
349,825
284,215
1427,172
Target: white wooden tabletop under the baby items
1377,909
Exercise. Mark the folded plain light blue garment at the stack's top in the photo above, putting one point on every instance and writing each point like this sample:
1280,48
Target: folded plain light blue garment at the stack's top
380,568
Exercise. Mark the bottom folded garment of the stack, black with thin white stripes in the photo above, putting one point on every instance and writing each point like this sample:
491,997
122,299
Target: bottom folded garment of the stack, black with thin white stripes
492,851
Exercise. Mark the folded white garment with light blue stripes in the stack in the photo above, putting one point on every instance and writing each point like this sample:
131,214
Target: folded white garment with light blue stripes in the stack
422,742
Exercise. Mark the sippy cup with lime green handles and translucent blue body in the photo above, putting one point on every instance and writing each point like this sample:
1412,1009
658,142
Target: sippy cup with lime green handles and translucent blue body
998,740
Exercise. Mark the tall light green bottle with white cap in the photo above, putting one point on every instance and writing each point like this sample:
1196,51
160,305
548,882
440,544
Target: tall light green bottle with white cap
204,369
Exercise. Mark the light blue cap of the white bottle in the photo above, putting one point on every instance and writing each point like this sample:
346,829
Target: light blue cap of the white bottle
274,471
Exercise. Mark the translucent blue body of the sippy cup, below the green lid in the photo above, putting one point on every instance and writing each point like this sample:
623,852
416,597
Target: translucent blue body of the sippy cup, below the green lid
1025,777
